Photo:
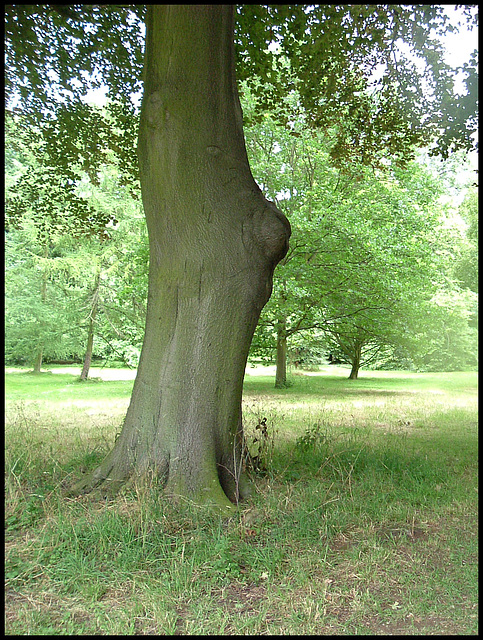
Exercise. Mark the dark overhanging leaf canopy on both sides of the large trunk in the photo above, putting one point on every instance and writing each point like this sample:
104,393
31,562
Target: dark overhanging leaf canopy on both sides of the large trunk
355,67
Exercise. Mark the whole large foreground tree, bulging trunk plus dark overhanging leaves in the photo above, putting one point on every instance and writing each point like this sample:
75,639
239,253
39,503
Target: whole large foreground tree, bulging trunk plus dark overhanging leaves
214,239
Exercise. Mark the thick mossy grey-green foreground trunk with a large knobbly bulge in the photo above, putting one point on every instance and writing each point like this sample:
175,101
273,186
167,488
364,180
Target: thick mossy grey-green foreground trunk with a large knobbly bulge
214,243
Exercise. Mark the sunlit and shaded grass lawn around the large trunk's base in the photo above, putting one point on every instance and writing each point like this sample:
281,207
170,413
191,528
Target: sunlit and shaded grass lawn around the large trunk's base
363,522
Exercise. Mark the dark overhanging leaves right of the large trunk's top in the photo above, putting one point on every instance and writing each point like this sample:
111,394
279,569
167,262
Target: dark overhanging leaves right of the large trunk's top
359,67
